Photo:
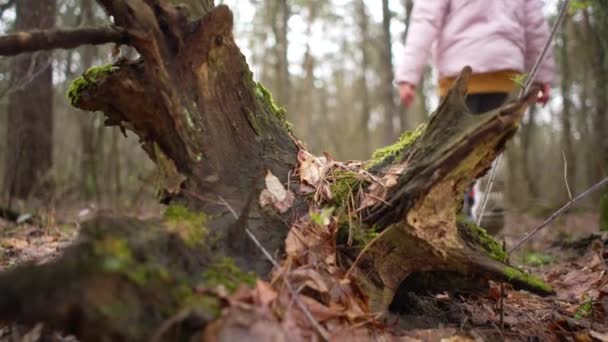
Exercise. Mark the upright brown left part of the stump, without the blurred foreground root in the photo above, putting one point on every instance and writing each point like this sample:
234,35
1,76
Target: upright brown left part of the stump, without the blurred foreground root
191,90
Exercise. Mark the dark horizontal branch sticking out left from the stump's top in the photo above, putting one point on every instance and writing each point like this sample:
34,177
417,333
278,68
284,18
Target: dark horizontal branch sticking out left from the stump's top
21,42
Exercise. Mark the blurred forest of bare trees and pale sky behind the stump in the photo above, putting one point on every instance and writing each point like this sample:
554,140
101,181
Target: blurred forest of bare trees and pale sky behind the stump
330,64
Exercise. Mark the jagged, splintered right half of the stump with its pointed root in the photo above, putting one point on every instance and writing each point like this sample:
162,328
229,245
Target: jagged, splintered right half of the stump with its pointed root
418,220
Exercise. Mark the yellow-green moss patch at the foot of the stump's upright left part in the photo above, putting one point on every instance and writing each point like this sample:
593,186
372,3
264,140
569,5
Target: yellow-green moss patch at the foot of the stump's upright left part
189,225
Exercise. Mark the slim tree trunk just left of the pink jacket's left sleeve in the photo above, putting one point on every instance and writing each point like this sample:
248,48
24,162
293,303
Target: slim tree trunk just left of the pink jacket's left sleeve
388,98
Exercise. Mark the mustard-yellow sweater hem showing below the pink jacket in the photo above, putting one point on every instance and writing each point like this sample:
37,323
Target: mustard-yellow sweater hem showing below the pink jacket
490,82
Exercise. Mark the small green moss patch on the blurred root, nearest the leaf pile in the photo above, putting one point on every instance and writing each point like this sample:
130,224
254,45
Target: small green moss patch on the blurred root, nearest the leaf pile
225,272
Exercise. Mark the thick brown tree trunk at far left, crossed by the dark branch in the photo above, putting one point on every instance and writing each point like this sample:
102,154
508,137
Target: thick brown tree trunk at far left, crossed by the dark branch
30,110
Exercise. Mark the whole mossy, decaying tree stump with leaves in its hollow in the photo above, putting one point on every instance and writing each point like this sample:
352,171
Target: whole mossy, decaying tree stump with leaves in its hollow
226,158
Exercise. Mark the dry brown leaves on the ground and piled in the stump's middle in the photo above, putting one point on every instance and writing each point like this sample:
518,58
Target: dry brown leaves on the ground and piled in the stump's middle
267,311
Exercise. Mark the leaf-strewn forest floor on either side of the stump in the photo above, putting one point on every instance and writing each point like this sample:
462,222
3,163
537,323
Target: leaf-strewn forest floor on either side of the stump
563,254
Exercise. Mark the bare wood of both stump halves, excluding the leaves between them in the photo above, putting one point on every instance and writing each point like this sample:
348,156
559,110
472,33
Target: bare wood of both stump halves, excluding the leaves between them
214,133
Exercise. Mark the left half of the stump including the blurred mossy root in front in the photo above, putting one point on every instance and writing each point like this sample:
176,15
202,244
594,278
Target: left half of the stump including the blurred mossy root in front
214,133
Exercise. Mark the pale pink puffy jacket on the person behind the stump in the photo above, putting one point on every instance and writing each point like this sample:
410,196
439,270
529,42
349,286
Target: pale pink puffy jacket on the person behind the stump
488,35
